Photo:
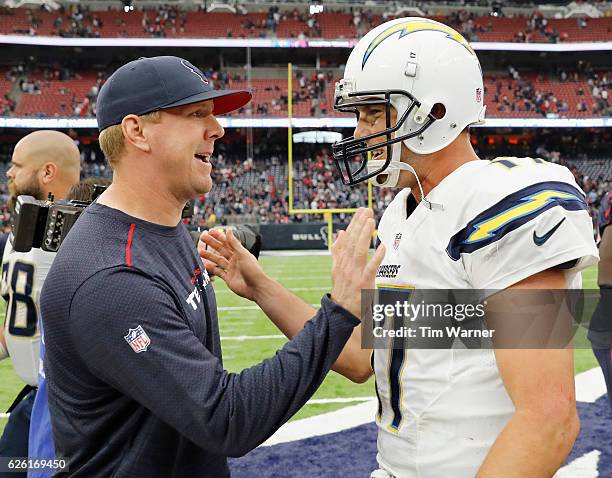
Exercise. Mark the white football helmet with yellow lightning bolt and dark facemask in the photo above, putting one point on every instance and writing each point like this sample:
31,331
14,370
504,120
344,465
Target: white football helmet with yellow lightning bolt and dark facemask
431,76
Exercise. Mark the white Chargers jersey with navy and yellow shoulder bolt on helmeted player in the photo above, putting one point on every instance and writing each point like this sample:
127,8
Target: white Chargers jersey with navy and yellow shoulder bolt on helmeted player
441,410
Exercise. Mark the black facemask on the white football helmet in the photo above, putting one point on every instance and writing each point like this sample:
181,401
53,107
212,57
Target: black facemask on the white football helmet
351,155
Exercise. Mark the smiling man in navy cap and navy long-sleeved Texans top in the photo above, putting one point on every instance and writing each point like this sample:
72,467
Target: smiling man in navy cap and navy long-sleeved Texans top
133,358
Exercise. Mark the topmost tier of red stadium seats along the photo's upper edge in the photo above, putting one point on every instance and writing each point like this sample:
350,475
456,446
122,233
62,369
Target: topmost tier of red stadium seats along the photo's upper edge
116,23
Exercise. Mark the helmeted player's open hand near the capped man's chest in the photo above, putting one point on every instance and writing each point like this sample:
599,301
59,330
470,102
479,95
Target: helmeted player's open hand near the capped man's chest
225,257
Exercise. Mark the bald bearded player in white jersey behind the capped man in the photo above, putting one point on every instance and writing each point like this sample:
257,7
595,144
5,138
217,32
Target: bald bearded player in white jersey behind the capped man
43,162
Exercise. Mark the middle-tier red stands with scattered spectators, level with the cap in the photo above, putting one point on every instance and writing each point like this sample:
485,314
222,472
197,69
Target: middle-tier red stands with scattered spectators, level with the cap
561,94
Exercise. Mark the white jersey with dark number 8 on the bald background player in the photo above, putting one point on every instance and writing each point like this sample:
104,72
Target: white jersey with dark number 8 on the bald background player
23,275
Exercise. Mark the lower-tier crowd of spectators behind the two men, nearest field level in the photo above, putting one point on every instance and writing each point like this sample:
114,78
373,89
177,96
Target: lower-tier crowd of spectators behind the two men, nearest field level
256,190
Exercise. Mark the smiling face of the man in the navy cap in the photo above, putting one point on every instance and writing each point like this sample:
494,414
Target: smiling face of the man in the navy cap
182,143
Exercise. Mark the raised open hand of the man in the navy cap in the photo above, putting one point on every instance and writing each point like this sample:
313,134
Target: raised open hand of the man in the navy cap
351,270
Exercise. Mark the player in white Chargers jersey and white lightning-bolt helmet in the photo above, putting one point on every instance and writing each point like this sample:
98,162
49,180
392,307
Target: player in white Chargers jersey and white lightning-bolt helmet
460,223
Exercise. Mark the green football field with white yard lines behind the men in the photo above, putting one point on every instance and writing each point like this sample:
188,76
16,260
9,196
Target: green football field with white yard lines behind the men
248,337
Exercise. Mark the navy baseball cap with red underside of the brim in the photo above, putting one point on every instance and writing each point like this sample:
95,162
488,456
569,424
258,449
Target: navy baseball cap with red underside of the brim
150,84
